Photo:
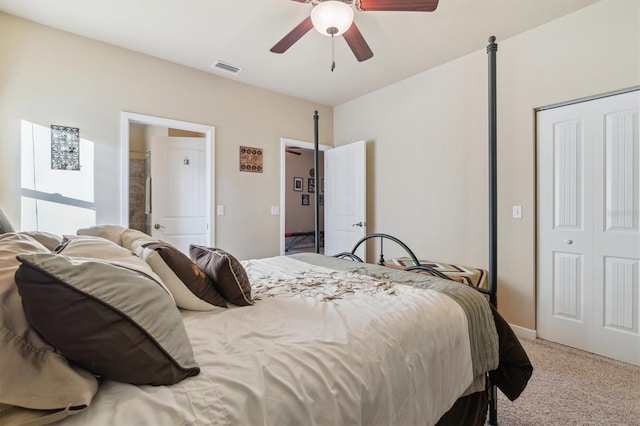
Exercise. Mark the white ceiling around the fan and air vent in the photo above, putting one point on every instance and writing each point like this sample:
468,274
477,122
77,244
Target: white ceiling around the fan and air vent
196,33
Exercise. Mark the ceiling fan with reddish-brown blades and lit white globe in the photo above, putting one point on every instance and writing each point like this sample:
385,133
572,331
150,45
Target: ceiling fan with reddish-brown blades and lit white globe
335,17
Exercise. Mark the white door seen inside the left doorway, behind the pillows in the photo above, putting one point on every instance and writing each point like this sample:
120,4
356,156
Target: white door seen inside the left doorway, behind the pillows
180,210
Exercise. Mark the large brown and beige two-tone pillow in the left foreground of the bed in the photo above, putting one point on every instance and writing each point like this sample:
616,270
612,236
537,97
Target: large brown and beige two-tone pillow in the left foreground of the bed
113,321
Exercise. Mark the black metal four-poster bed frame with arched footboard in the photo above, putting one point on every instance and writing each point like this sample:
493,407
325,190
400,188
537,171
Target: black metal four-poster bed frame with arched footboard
491,292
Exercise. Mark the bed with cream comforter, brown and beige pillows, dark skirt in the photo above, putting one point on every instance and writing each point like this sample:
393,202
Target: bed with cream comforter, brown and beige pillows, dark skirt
303,339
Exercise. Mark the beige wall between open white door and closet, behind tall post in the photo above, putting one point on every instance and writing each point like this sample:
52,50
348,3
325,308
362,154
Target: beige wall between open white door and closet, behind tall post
427,161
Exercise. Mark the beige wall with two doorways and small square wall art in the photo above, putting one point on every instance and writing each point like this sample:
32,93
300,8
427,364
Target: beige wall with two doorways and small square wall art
52,77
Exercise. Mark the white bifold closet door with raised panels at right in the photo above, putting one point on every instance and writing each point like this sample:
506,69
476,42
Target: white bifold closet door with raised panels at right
588,226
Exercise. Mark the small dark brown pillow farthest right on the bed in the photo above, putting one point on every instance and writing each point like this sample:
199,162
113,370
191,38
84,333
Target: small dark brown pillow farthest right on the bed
225,271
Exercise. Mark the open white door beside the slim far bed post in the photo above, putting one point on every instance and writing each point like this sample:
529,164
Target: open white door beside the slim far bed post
345,188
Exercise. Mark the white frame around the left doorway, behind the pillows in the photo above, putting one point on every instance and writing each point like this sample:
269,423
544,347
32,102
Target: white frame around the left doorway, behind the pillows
128,118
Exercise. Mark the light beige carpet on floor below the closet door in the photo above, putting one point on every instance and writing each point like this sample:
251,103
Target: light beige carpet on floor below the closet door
572,387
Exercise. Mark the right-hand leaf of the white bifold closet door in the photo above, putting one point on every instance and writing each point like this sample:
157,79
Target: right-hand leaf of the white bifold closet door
616,236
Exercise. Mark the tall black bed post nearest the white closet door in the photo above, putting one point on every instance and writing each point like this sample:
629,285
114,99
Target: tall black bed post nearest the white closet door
492,48
